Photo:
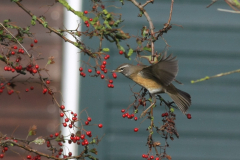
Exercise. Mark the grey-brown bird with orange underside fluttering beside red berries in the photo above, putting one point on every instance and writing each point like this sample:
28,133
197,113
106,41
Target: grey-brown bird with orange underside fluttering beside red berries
157,78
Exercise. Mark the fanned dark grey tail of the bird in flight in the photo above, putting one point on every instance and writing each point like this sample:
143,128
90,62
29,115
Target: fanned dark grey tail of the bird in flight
181,99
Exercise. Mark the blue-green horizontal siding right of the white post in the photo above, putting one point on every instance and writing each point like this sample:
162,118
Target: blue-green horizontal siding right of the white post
207,44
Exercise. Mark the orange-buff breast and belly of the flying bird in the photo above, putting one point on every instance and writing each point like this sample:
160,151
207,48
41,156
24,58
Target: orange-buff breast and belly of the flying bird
151,85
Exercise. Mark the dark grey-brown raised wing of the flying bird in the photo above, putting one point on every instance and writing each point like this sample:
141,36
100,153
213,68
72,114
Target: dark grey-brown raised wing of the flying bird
165,70
